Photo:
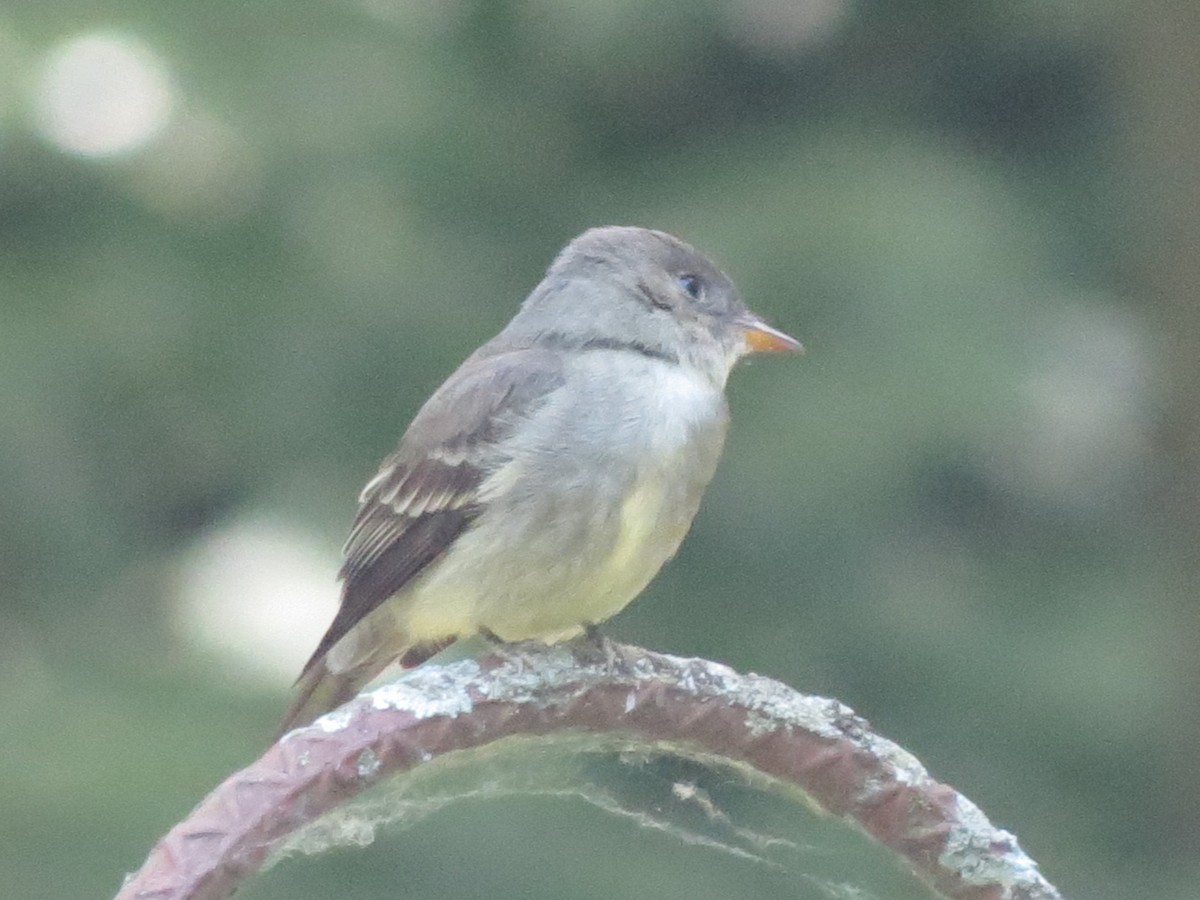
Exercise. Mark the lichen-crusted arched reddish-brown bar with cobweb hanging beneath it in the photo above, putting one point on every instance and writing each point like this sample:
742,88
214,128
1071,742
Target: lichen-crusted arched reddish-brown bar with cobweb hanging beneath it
361,767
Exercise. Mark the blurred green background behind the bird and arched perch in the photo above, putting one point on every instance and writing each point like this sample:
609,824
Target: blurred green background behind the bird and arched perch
241,244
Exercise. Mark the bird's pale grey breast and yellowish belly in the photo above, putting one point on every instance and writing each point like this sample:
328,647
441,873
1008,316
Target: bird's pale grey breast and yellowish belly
597,494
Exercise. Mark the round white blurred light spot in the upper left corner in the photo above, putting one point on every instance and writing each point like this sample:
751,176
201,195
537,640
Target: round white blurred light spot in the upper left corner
103,95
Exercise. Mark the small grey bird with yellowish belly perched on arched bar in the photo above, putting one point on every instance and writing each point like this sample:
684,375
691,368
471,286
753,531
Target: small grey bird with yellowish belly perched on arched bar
543,487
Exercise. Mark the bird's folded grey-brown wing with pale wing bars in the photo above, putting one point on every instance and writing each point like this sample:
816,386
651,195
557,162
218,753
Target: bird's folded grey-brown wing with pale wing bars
427,494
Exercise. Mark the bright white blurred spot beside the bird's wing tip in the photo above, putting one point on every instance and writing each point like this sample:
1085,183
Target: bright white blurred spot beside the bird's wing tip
260,595
